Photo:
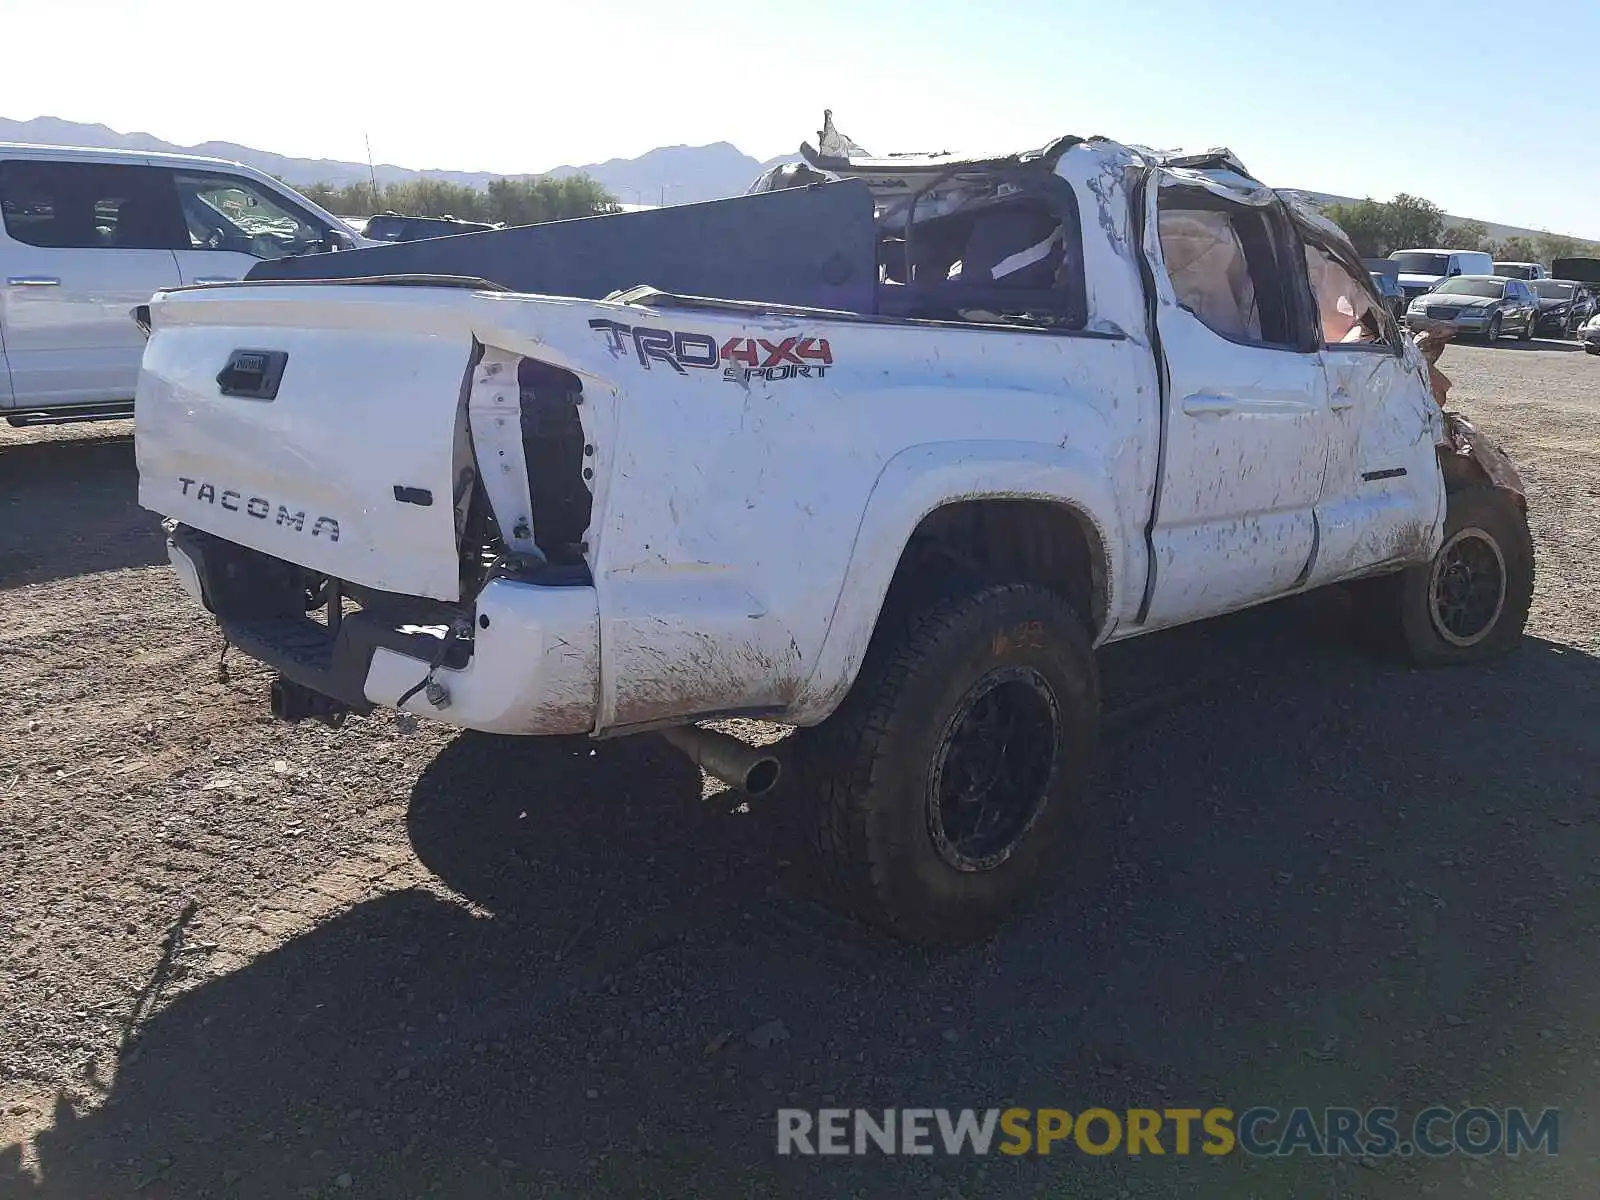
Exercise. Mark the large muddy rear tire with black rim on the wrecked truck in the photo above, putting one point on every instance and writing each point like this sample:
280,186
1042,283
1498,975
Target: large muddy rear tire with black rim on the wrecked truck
897,772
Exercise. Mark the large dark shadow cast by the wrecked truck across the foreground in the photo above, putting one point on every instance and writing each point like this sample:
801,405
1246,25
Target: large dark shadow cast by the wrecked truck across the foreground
1324,881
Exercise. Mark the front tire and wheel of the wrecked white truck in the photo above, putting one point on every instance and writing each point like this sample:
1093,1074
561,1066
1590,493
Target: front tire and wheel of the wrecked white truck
1450,610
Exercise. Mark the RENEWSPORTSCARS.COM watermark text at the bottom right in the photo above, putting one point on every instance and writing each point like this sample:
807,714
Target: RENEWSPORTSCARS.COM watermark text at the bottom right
1260,1132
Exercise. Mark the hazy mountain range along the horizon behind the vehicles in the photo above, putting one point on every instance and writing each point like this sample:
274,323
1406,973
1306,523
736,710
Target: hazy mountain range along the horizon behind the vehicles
668,175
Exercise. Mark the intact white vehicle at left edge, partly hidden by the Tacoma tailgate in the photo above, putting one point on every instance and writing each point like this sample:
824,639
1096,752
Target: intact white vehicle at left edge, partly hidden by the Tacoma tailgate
87,236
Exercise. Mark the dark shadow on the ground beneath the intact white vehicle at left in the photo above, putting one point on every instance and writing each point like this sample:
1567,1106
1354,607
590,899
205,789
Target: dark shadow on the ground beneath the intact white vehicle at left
70,508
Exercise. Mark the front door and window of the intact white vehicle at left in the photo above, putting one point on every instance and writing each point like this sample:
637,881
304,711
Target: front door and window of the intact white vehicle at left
233,223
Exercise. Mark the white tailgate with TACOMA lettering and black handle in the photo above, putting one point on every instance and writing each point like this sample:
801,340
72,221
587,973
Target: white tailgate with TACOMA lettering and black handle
348,463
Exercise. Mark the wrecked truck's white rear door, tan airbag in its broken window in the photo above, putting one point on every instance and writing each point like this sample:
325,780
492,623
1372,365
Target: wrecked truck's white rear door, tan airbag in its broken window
1247,418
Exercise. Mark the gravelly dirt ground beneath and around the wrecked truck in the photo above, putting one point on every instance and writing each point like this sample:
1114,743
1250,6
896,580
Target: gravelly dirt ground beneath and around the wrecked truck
254,961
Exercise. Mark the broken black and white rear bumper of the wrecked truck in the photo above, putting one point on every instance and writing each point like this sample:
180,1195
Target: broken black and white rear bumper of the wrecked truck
532,665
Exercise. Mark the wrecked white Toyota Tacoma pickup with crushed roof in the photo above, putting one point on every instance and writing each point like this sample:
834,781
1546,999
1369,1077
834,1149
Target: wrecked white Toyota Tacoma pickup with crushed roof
882,457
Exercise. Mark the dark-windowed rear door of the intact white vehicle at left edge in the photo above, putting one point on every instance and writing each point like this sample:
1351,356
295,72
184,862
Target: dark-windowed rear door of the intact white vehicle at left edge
84,244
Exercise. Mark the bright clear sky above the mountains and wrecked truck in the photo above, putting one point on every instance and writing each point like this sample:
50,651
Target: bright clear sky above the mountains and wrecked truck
1482,106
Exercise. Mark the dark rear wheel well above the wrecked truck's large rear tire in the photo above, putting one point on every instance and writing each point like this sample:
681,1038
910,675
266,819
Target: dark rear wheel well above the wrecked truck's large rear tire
1010,540
